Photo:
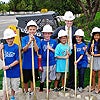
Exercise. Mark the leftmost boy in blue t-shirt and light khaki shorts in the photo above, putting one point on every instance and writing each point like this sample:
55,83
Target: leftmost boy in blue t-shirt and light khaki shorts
11,58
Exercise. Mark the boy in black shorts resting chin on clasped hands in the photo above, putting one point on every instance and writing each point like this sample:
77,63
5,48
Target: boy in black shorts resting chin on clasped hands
27,55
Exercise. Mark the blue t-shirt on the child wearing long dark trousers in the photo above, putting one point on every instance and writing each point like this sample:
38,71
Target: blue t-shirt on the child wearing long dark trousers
79,51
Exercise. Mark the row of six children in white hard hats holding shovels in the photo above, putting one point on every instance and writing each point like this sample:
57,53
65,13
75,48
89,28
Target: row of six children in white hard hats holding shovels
58,53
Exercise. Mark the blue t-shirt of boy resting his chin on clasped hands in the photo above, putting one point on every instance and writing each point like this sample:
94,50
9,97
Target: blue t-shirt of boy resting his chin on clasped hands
27,56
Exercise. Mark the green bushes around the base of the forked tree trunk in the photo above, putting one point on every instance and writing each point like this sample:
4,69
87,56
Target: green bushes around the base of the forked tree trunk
82,23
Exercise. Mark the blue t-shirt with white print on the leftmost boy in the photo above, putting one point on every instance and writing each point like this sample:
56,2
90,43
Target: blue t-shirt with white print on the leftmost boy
11,54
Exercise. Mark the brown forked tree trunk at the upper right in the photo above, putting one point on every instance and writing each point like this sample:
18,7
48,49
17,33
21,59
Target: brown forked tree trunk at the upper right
89,7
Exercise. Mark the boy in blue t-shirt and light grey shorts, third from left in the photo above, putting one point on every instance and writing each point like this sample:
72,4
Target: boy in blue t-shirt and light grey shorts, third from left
47,32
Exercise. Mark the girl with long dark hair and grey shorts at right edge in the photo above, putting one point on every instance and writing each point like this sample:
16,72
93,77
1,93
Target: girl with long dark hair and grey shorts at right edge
96,57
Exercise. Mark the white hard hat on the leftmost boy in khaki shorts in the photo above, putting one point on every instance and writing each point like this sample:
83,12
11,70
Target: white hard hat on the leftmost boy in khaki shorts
8,33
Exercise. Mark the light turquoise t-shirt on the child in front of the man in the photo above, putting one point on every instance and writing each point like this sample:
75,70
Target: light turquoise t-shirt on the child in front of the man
61,50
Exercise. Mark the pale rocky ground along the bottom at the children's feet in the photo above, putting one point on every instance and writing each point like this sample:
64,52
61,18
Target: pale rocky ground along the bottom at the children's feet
69,95
